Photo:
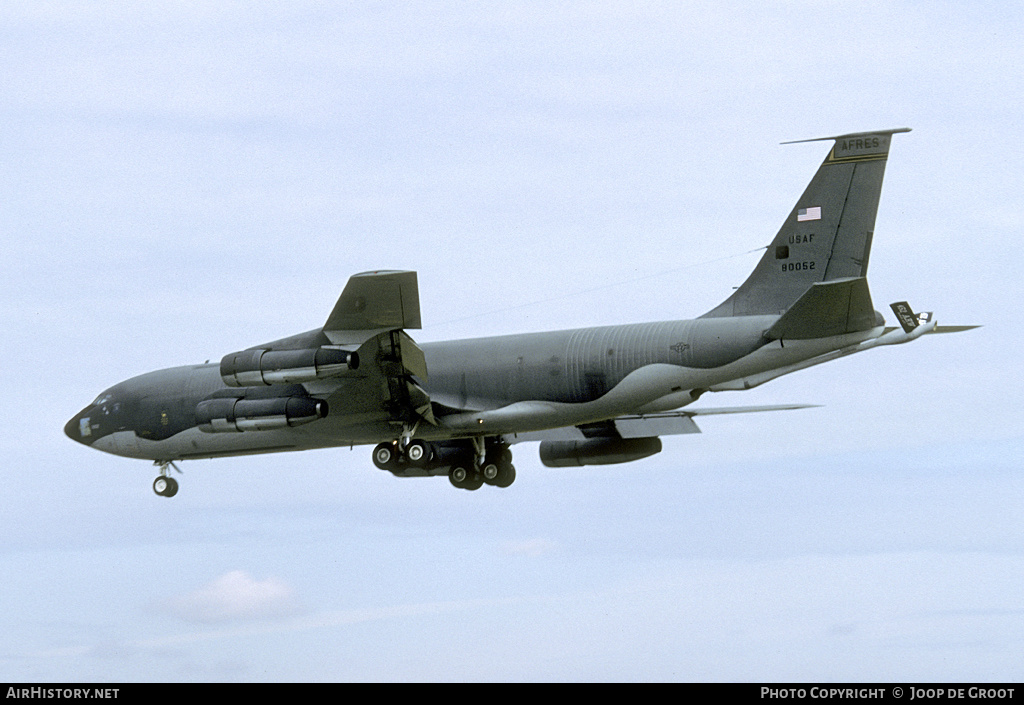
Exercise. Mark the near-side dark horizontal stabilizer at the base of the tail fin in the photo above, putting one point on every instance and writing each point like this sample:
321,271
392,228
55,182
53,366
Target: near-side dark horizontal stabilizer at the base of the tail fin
828,309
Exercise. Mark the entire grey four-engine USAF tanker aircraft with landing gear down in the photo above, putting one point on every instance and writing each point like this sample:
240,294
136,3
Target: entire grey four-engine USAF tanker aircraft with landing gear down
593,396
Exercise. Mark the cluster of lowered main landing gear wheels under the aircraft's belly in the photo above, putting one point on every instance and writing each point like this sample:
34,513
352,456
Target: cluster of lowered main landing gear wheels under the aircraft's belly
468,466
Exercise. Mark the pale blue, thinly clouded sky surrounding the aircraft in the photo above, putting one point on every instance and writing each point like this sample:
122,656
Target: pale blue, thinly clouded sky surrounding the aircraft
183,180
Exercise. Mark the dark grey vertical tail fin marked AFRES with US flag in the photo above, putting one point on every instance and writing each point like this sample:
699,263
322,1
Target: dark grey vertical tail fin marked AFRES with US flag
829,234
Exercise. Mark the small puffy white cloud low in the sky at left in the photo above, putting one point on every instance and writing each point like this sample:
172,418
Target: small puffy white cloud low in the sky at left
236,597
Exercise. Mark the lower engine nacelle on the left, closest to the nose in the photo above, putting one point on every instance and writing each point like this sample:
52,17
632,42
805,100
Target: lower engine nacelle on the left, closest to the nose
232,414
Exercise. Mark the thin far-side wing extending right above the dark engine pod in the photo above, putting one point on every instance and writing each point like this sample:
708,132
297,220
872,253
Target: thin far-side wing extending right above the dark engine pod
644,426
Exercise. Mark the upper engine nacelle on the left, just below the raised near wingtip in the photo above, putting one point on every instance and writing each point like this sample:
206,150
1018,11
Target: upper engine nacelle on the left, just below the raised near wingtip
258,367
